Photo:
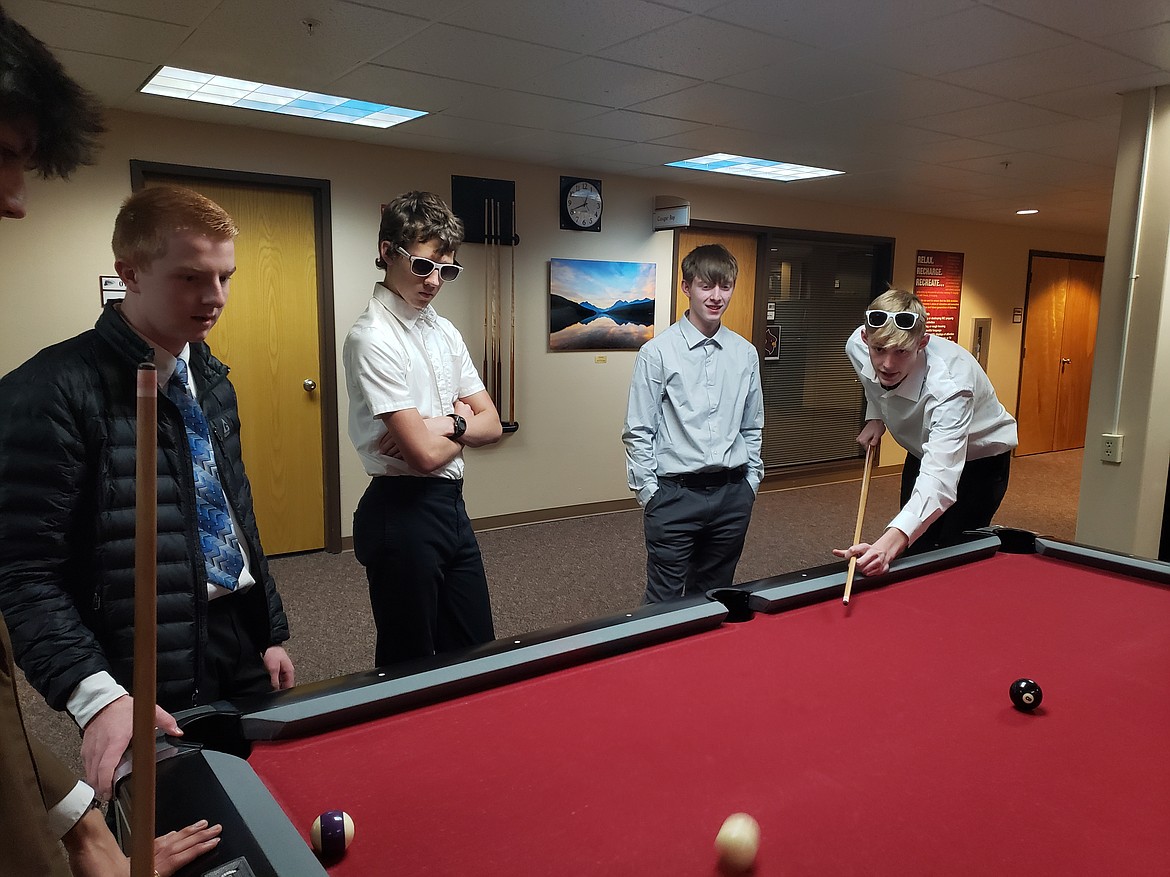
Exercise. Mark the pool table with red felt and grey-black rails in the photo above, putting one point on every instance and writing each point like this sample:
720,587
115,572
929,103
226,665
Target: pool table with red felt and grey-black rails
876,738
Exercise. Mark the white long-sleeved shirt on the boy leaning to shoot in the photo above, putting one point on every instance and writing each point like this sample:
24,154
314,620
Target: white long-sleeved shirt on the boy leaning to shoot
946,412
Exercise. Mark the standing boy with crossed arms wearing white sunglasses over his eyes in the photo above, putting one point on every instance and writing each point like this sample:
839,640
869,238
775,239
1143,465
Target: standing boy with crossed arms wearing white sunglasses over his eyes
416,403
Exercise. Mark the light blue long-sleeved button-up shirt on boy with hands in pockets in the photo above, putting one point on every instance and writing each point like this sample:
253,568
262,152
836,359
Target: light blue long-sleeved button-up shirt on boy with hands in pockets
696,405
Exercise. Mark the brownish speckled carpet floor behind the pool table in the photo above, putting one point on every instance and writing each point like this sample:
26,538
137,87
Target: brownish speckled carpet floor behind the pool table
561,572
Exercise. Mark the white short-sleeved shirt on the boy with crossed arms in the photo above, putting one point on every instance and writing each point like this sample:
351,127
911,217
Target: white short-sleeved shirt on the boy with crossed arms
398,357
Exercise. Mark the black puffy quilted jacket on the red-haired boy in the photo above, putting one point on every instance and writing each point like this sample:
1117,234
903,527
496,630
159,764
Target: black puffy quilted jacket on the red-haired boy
67,517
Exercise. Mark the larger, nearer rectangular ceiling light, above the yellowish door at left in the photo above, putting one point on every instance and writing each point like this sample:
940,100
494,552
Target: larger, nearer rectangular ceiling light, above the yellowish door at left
228,92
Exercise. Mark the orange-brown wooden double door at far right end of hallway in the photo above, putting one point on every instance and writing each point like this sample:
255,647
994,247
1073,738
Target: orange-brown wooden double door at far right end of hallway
1059,340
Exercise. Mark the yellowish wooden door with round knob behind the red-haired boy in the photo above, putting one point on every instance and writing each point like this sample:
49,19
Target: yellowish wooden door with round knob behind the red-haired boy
269,335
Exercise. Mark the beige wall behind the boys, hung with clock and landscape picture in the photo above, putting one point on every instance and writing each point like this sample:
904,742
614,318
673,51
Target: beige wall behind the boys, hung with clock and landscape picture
568,451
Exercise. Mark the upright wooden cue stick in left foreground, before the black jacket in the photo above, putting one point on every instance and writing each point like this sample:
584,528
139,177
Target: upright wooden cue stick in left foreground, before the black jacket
142,781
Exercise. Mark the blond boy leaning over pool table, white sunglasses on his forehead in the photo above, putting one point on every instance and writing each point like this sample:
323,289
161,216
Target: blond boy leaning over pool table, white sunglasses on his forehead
938,403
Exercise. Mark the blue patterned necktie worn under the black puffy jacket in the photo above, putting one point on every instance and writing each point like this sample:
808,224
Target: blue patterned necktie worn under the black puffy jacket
222,550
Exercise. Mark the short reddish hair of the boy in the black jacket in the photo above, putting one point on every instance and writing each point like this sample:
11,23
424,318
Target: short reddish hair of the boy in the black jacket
148,219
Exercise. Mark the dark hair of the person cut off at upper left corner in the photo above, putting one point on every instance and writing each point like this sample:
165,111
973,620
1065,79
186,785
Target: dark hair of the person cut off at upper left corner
35,86
